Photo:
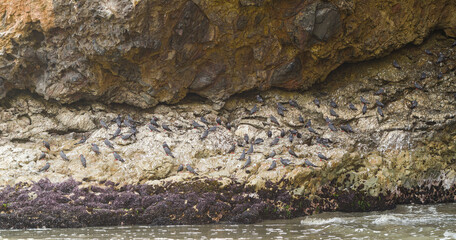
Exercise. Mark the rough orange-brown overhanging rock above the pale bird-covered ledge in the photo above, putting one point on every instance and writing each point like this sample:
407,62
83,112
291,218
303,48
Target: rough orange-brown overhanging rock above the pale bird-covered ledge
146,52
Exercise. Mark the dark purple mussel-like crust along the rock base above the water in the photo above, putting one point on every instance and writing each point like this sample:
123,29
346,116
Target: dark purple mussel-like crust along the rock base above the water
203,201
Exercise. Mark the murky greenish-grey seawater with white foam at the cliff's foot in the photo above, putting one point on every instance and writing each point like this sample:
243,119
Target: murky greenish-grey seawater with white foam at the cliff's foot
404,222
